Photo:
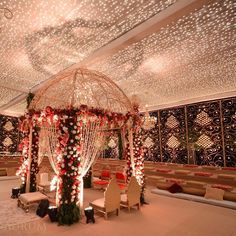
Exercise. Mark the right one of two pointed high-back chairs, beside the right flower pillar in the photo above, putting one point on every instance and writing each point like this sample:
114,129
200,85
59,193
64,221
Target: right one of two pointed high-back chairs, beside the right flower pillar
132,197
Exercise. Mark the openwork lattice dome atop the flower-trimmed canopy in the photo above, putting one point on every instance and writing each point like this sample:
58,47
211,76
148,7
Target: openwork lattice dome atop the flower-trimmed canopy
81,87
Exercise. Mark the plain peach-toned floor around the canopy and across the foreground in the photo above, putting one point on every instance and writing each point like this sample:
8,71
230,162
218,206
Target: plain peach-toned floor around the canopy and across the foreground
163,216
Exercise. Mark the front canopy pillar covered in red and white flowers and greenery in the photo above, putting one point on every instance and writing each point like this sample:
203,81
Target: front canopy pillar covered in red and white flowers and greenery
68,161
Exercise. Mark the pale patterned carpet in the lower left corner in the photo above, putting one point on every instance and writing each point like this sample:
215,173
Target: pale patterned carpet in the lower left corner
11,215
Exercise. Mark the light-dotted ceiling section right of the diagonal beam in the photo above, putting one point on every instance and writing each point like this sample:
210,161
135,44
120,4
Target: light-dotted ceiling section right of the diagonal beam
196,52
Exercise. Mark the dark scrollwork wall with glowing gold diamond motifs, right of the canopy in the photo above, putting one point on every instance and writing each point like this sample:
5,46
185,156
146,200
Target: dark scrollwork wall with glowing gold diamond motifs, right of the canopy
201,133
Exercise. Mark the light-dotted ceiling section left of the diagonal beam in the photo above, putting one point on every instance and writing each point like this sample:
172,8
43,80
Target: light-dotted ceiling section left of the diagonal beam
45,37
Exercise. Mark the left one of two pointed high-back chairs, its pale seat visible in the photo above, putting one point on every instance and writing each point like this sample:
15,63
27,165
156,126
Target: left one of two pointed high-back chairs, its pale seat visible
111,200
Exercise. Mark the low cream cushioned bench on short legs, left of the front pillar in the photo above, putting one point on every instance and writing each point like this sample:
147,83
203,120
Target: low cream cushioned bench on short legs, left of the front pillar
26,199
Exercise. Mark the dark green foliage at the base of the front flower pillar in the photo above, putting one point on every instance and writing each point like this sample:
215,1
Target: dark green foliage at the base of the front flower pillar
68,214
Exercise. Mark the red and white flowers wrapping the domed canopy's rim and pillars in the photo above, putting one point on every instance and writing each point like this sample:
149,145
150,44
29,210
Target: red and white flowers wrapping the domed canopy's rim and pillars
69,123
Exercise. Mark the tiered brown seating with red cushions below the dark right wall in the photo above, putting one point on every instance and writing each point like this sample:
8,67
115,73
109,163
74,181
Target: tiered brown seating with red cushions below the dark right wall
192,178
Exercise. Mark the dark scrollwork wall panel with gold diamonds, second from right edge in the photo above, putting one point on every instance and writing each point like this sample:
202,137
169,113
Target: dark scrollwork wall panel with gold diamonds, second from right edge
204,133
